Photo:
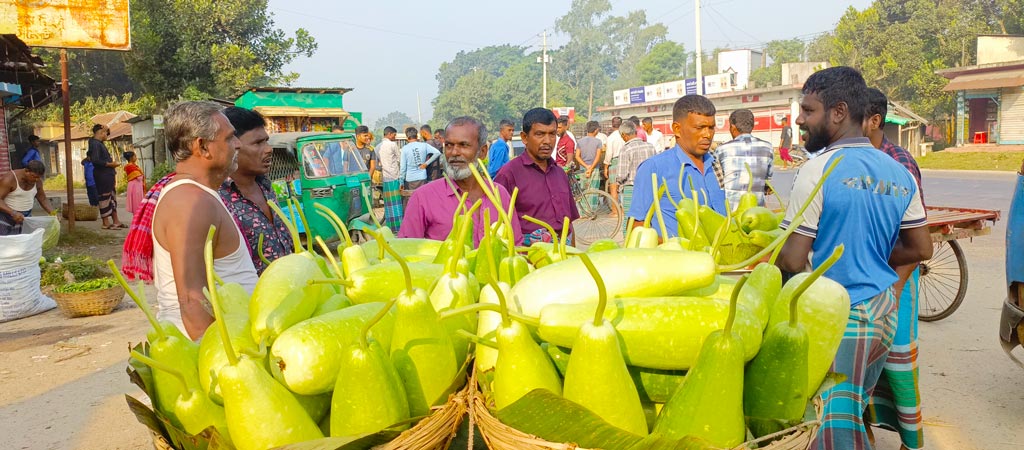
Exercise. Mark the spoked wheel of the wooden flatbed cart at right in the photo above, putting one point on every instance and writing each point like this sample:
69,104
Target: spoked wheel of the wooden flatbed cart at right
944,282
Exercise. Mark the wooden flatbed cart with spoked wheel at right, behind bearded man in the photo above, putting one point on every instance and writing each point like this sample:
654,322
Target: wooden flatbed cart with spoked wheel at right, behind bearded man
944,278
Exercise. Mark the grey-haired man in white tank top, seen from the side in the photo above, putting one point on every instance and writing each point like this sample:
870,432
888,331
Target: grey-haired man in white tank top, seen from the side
204,146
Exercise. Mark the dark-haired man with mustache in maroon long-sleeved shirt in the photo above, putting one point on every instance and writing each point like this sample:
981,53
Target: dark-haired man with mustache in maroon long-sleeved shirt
544,188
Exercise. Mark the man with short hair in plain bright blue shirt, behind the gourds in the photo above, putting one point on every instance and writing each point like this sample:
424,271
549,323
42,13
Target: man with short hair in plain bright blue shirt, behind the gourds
694,126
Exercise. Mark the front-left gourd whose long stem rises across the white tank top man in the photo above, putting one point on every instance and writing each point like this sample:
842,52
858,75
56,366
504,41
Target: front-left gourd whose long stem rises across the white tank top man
261,413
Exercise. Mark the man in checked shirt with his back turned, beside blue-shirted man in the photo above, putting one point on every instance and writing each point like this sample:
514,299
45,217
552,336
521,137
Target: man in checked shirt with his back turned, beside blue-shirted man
744,151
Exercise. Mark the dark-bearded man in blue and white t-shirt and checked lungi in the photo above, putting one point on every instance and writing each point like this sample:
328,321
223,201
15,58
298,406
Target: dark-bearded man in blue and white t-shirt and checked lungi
872,206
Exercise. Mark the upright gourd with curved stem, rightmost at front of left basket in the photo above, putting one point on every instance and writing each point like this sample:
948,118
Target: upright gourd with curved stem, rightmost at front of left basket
421,349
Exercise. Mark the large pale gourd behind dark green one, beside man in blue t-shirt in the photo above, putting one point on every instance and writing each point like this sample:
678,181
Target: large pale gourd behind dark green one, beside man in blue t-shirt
825,311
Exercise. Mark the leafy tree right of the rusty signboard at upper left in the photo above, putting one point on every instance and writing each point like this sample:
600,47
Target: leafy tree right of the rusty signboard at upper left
215,49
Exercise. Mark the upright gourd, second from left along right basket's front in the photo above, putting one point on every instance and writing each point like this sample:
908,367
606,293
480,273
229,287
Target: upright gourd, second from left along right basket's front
598,378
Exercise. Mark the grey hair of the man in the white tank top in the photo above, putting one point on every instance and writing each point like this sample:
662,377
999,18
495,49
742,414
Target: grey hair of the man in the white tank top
187,121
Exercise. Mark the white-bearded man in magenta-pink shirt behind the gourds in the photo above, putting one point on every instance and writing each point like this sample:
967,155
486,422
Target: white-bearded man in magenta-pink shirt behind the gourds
431,211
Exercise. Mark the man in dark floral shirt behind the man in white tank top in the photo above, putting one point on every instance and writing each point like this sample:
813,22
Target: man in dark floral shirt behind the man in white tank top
248,192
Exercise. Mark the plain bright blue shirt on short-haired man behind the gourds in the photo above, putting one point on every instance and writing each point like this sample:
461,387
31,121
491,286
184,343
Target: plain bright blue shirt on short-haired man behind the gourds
667,166
